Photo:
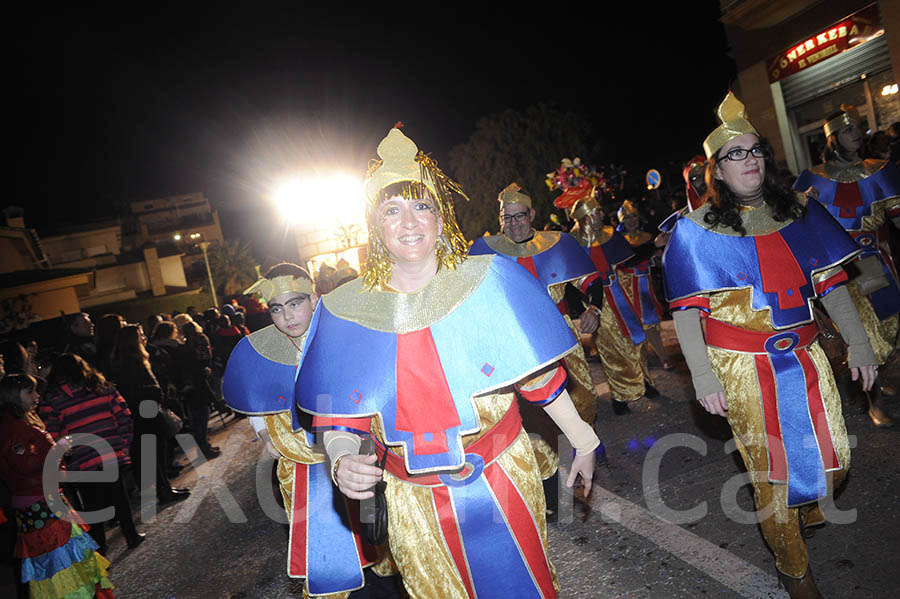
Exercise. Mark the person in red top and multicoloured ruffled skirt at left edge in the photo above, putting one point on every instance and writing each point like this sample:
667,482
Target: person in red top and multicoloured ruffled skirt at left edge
58,558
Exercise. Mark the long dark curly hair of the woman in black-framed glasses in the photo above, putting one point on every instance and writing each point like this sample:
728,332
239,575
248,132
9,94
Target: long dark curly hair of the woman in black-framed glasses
725,207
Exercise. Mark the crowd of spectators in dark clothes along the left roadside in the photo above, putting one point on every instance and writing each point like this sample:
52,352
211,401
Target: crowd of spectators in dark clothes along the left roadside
120,381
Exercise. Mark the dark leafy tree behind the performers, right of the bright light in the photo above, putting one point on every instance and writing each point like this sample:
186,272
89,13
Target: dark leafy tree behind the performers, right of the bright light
521,146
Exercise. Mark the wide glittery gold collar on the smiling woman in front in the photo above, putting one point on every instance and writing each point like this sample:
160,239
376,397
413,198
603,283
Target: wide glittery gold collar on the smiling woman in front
397,312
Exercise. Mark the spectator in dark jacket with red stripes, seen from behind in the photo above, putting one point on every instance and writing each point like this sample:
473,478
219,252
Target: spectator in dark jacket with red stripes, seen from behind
79,400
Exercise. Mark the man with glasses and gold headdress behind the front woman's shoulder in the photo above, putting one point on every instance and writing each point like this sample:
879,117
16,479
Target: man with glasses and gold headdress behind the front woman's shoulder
555,259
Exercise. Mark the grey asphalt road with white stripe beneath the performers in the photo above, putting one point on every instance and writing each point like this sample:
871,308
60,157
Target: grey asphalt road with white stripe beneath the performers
221,544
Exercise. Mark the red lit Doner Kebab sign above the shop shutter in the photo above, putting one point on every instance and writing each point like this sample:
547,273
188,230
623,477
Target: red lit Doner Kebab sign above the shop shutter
849,33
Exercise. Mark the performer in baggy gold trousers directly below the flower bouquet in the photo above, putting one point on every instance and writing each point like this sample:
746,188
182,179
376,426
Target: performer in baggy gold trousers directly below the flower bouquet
619,337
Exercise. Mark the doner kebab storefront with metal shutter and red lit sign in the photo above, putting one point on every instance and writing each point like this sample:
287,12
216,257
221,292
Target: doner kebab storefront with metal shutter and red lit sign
838,59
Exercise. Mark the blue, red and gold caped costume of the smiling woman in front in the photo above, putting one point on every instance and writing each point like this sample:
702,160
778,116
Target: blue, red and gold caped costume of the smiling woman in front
464,496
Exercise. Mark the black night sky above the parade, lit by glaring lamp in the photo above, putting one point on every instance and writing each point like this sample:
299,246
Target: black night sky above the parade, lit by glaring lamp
112,107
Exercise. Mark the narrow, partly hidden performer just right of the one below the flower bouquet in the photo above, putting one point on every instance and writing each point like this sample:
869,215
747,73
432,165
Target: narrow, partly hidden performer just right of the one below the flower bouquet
641,293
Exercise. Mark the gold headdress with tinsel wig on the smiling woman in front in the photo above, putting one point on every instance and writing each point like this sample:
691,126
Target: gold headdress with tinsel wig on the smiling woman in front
401,161
